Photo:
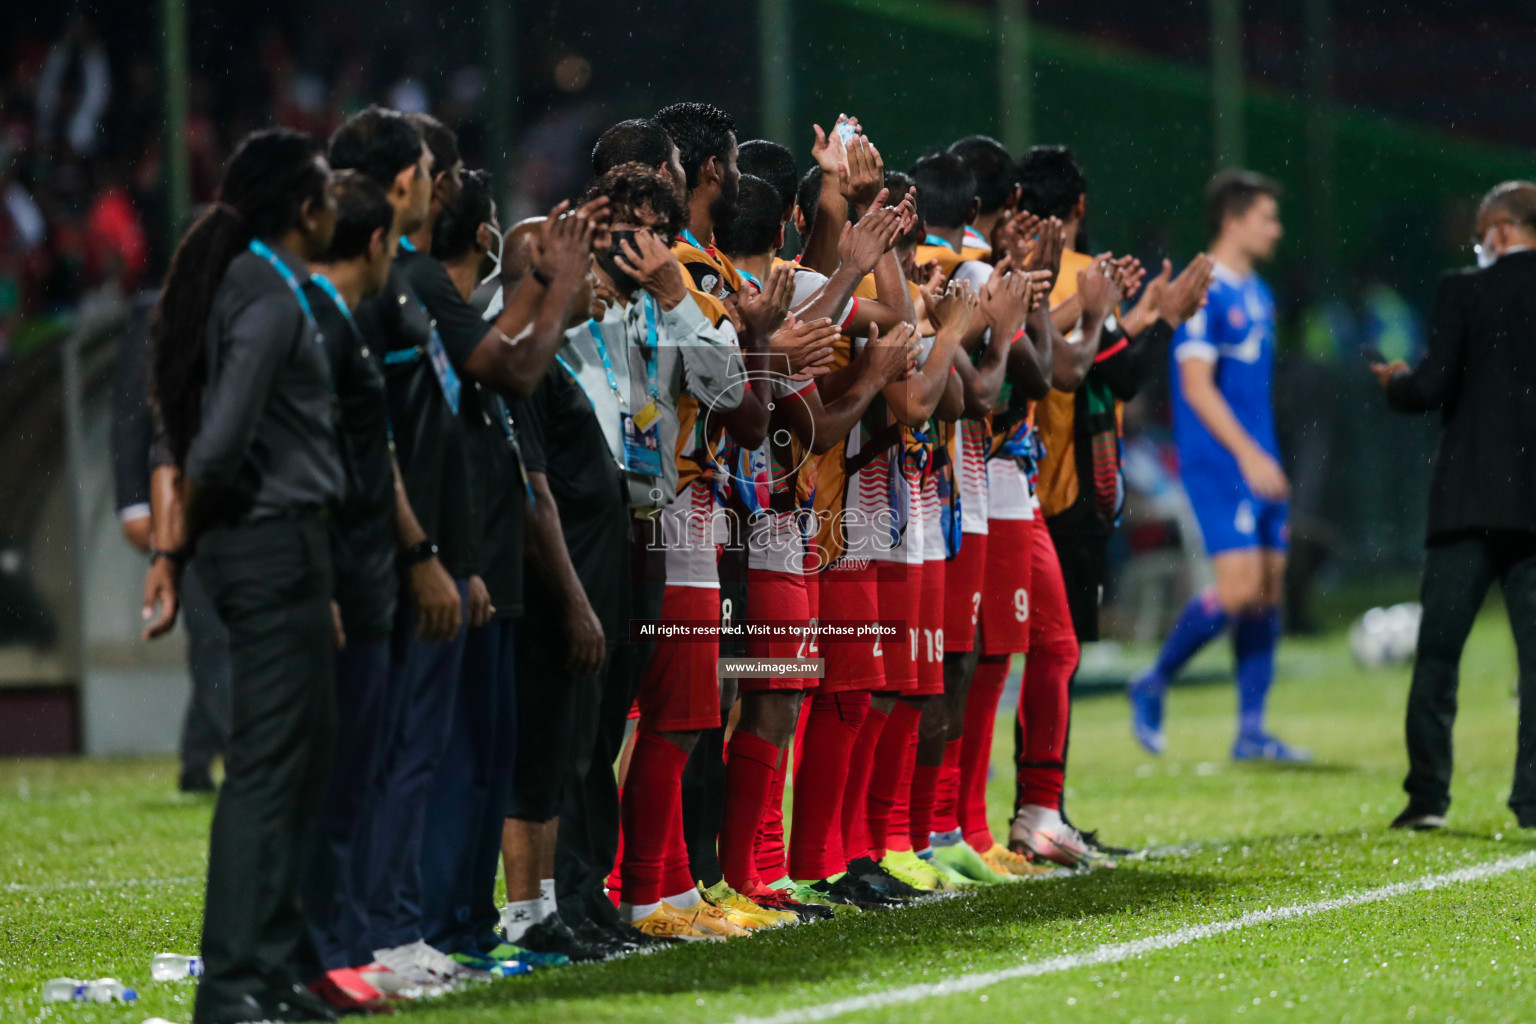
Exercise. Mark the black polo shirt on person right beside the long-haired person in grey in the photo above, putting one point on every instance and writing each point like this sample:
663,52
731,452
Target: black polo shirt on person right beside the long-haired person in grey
363,535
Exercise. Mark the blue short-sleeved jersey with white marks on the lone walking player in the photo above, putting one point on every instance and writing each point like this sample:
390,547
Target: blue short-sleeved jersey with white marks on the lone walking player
1236,331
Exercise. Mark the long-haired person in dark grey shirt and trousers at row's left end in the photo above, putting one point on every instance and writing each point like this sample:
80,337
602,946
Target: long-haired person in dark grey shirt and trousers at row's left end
245,398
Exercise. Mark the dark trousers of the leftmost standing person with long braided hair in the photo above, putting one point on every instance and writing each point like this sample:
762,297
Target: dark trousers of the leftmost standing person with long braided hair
271,583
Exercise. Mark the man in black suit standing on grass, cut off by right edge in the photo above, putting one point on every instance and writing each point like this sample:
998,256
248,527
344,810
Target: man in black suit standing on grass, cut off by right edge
1481,375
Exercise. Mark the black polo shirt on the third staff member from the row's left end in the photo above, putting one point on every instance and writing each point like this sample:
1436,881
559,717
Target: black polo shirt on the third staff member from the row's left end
431,443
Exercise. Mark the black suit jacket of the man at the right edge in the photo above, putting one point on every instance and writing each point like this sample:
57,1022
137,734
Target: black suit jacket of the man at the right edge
1481,374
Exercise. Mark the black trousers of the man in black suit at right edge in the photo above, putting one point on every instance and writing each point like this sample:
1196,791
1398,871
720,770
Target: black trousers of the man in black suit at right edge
1458,572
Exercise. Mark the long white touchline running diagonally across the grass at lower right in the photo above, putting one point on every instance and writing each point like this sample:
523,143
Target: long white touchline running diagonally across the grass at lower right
1116,953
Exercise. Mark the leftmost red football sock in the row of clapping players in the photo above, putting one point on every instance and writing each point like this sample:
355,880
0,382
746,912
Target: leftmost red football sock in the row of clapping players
652,814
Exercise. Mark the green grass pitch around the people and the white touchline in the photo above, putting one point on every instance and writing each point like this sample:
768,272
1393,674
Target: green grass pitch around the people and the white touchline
101,868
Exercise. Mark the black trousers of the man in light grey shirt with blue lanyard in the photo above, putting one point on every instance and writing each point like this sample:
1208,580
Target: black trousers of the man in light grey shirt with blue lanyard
588,841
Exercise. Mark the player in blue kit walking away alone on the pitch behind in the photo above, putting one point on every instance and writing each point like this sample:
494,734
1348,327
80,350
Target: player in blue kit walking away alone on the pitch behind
1225,423
